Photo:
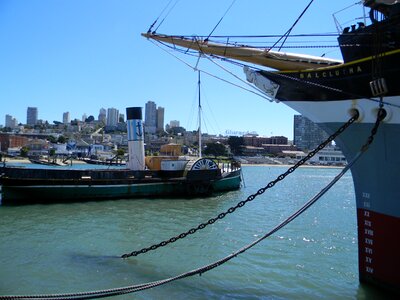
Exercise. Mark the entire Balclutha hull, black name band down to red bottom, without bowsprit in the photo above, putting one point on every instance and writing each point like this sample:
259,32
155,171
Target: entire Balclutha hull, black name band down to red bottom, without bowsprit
376,174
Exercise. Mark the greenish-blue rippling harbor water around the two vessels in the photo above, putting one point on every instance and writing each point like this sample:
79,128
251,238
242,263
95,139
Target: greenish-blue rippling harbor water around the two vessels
63,248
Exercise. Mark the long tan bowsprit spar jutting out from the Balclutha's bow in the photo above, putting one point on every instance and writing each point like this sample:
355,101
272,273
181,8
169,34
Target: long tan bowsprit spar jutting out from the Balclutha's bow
281,61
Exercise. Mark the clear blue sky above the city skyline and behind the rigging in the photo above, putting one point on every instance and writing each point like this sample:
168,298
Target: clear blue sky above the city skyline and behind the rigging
83,55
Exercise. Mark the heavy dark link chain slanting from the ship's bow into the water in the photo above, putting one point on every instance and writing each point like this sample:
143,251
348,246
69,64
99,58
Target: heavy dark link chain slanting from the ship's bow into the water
259,192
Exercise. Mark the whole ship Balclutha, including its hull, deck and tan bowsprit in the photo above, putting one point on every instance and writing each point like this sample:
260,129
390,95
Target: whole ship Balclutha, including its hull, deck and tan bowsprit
330,92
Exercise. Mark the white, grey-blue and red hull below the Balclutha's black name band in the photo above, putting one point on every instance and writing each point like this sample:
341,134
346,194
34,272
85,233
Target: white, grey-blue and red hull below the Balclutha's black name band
375,176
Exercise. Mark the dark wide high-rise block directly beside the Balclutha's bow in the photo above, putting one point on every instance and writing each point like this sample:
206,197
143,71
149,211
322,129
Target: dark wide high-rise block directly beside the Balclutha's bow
307,135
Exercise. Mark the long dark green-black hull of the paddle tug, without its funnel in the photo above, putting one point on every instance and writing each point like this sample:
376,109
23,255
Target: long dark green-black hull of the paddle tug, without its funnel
22,186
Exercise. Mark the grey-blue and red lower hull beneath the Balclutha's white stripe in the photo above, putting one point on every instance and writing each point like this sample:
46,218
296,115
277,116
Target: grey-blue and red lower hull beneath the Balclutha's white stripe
375,177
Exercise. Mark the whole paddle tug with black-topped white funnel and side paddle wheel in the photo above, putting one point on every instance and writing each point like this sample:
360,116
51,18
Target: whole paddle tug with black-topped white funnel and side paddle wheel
171,177
